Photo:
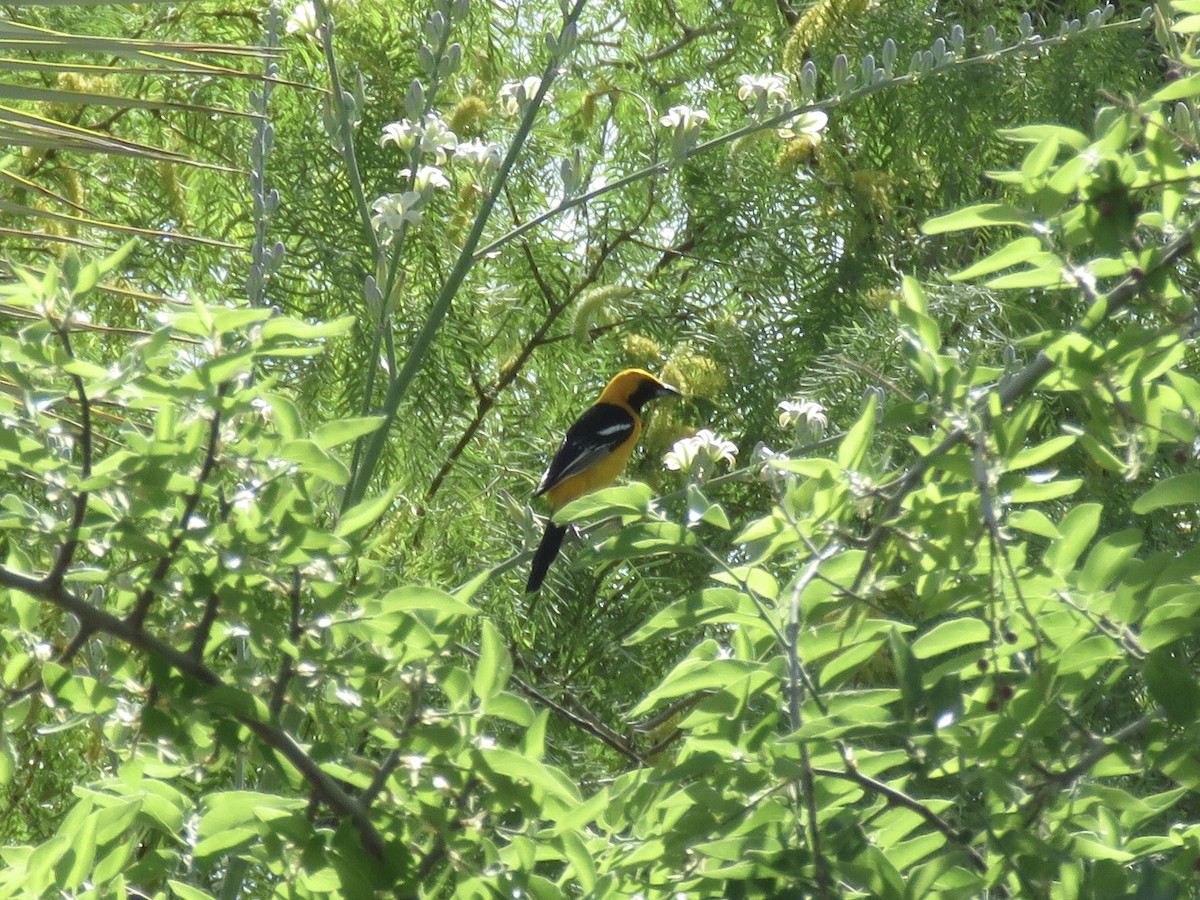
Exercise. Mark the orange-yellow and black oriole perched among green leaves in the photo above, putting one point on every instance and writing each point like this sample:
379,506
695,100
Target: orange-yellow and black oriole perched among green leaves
595,452
